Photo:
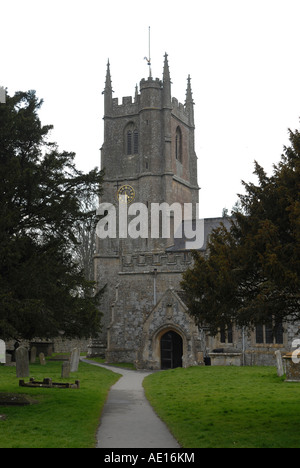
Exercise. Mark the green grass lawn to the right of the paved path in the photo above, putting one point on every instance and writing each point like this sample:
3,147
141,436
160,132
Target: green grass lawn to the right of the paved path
213,407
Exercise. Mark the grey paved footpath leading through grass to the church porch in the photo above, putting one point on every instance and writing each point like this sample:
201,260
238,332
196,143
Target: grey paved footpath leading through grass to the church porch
128,420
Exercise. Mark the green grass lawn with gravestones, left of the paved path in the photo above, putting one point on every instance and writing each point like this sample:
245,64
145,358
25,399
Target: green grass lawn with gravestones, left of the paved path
63,418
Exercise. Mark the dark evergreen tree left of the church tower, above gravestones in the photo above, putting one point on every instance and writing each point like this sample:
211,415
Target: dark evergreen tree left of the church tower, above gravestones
42,289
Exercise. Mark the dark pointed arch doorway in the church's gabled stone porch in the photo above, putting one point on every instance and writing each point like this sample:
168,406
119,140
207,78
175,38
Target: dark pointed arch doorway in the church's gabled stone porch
171,350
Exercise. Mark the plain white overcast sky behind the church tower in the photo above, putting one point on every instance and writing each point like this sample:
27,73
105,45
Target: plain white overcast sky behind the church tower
242,55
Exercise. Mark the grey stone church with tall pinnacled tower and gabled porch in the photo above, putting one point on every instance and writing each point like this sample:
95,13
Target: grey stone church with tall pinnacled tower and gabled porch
149,156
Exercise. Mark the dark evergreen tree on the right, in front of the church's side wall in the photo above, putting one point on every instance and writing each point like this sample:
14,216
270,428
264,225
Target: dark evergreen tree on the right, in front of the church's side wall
251,273
